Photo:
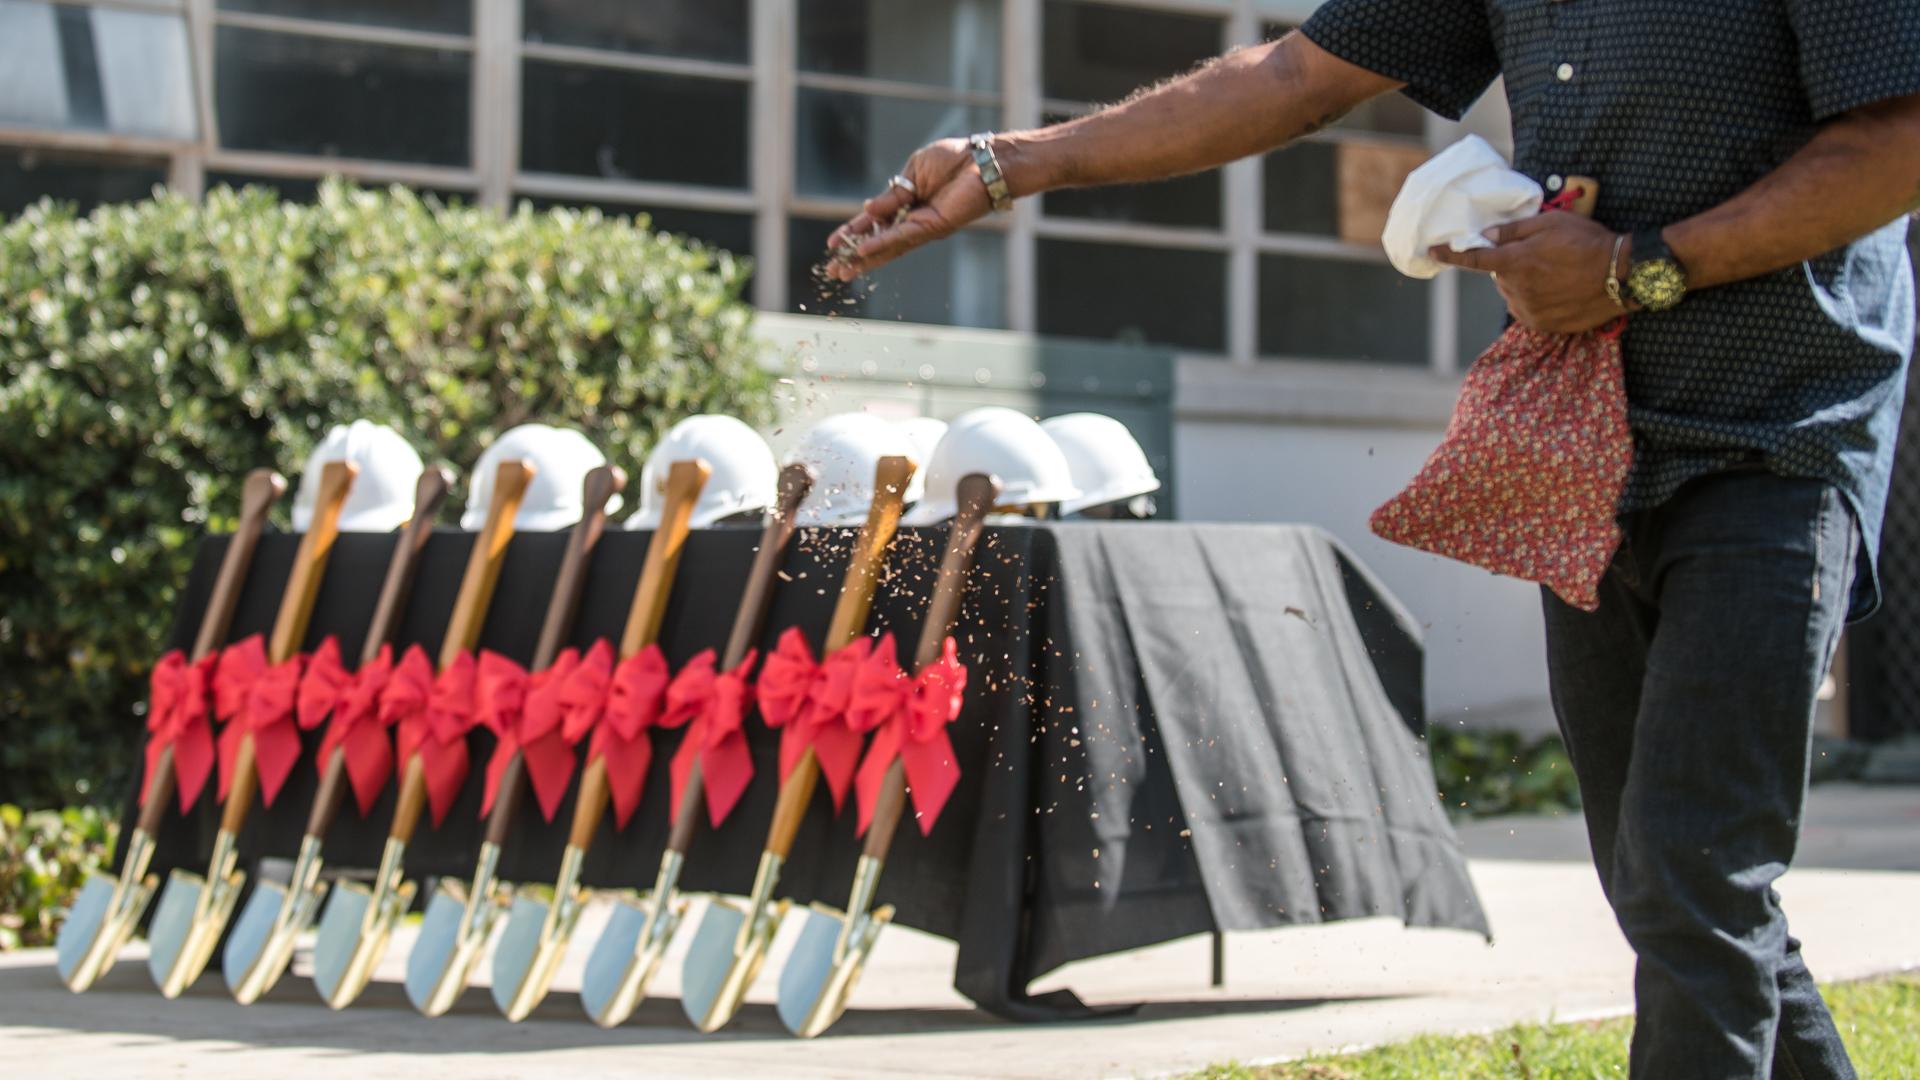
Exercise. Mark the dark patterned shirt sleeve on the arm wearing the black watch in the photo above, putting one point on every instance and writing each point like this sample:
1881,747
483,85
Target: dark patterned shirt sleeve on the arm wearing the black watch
1856,53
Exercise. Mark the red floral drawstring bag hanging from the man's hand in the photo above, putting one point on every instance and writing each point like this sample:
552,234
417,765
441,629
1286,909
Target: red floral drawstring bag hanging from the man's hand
1531,470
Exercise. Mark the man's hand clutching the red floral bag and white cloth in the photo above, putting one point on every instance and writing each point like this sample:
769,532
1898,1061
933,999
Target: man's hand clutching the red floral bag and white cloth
1552,270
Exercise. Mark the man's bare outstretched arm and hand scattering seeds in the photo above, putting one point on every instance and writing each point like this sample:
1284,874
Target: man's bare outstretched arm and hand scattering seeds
1245,103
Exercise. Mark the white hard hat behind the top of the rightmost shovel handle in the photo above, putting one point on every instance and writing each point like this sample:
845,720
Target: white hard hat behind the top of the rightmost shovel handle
1005,445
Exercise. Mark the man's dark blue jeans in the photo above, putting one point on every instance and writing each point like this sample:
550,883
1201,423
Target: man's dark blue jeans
1687,704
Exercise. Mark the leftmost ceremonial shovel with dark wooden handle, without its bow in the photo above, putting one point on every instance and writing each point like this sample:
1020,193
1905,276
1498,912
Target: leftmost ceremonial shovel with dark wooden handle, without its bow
108,910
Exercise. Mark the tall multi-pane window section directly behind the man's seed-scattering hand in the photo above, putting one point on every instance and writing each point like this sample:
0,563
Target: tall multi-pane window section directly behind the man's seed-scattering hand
876,82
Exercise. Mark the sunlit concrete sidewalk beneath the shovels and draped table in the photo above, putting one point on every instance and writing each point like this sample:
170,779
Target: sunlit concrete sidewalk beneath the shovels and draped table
1556,954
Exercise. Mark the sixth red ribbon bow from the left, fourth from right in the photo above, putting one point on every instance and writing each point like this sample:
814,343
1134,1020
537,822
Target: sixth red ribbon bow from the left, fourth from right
617,706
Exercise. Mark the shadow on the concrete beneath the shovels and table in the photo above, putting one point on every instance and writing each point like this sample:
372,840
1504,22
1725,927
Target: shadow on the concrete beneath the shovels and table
385,1021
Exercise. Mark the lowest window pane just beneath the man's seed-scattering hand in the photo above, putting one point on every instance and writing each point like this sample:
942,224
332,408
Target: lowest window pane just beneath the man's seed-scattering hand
959,282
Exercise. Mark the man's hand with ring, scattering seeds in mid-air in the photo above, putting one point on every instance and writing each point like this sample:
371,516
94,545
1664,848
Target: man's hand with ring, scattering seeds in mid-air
949,197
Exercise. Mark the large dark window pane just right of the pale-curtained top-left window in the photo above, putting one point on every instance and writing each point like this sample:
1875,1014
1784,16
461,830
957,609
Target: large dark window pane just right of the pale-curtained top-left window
337,99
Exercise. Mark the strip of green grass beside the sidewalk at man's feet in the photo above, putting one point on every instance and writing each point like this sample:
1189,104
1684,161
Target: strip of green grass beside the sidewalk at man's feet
1881,1021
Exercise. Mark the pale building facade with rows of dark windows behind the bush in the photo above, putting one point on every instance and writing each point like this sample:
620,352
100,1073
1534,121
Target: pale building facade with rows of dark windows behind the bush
1243,322
